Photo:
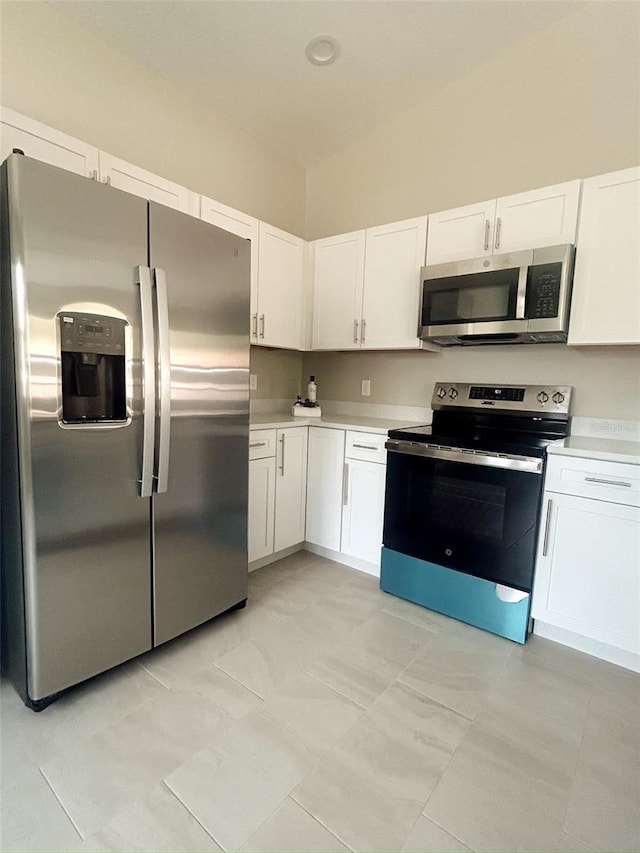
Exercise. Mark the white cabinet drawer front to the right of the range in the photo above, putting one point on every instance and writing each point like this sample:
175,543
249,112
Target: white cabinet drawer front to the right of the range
616,482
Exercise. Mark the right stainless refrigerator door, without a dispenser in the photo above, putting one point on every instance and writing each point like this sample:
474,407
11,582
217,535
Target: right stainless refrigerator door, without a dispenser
200,521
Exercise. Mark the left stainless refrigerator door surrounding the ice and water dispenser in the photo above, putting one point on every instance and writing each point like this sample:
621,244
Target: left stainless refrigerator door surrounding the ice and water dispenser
75,245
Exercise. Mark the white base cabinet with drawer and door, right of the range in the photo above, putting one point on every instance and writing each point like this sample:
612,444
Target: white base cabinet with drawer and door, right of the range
587,582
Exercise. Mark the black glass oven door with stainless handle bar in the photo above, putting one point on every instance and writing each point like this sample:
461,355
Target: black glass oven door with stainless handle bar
465,510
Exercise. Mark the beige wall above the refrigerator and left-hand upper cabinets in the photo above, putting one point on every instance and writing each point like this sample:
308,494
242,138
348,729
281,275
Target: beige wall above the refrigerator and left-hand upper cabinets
57,73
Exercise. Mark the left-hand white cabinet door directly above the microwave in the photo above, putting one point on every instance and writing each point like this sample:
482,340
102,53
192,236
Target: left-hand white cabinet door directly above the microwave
464,232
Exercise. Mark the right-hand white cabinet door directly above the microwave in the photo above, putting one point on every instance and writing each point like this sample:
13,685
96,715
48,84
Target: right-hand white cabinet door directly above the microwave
542,217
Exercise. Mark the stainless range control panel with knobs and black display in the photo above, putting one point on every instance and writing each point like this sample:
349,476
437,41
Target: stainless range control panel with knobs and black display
553,399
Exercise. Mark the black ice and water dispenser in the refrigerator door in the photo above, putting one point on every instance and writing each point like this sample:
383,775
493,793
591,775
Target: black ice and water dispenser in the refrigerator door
93,369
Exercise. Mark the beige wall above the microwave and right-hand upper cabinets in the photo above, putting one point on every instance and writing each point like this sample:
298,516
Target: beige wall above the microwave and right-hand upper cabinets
559,105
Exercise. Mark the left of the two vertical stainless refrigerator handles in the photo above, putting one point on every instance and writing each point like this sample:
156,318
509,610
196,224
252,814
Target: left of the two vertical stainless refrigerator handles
148,380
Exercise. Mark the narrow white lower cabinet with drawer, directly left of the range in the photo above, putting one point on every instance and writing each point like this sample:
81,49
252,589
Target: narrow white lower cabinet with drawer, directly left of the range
363,501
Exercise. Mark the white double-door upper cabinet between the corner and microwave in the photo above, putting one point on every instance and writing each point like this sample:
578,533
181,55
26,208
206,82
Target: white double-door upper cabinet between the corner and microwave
367,287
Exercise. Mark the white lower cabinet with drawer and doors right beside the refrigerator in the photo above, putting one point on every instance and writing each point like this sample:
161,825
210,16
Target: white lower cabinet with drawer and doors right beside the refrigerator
277,490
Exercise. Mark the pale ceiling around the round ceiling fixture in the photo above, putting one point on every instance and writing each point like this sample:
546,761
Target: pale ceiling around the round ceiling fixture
246,58
